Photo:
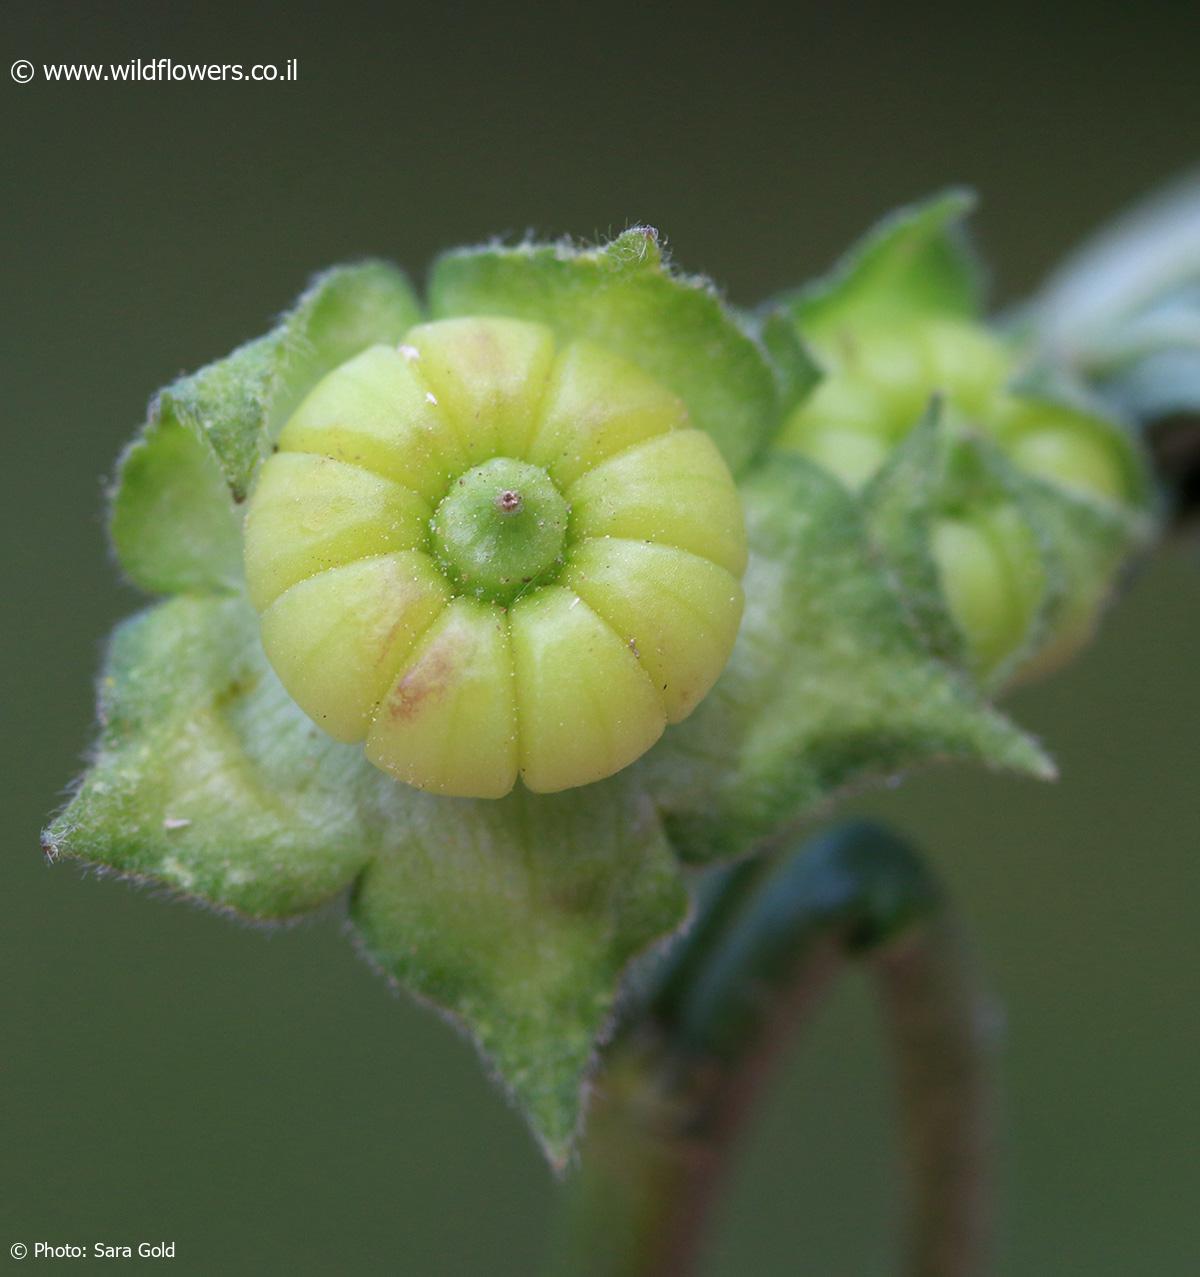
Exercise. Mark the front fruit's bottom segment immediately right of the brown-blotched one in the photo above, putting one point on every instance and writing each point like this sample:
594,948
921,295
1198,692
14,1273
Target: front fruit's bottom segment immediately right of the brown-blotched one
587,707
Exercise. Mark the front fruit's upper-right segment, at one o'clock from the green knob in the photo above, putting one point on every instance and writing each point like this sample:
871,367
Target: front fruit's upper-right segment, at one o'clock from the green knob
598,405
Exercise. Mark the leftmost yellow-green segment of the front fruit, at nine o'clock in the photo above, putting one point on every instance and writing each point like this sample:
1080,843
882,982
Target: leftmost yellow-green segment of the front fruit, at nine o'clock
311,514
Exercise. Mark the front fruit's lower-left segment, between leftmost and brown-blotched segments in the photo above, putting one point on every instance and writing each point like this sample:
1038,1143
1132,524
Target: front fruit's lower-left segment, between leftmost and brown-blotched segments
338,640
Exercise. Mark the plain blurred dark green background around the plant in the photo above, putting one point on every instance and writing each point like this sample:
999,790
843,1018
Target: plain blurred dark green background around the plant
262,1100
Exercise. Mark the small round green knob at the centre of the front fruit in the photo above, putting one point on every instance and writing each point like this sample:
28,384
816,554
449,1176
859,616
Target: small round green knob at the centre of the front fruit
501,528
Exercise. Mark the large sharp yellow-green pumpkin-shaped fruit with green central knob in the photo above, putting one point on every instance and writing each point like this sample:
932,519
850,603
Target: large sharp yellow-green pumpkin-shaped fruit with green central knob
488,556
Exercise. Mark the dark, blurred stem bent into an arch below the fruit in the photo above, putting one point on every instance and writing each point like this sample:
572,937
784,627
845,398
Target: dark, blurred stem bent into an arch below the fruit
682,1078
